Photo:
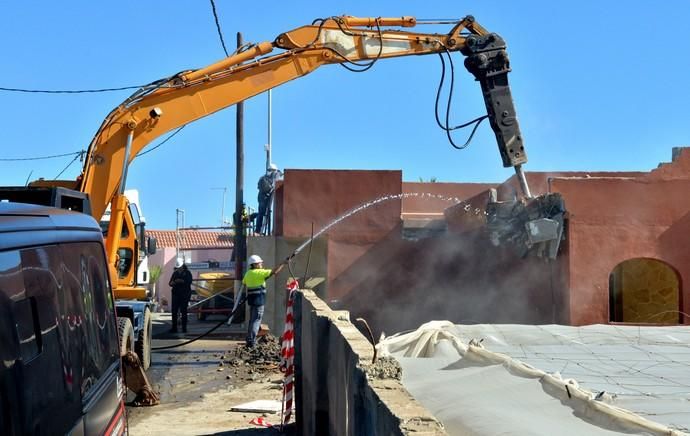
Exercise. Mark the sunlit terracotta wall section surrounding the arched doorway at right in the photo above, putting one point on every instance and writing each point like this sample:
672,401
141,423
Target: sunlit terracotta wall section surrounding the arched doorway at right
613,220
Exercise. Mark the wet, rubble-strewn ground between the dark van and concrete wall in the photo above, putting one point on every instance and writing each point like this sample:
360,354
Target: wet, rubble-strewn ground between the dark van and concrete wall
200,382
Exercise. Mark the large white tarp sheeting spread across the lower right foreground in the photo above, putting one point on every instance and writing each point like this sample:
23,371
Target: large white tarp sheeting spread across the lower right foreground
548,380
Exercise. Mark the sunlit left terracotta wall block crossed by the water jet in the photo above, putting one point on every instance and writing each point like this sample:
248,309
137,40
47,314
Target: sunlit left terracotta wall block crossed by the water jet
321,196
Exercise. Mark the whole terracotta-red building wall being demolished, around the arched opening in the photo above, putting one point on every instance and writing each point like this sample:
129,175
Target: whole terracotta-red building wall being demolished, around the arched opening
397,284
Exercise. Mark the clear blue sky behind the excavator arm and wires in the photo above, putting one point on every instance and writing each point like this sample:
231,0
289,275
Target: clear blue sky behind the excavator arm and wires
597,86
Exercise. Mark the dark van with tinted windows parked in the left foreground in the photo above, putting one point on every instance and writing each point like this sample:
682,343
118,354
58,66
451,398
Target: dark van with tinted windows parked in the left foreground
59,350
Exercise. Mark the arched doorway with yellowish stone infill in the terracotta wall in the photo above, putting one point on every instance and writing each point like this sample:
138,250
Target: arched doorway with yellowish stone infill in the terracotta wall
644,291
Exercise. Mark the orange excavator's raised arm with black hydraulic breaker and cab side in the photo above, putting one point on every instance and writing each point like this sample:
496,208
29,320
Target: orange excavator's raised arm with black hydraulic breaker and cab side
175,101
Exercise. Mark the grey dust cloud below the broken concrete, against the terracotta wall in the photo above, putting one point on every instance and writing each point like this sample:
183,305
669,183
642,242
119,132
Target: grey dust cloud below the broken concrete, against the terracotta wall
457,277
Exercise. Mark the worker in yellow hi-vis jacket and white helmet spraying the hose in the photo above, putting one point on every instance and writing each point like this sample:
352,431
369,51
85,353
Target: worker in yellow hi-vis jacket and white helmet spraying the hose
254,284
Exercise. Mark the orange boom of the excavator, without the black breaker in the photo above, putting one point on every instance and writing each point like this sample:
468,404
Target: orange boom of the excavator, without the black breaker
188,96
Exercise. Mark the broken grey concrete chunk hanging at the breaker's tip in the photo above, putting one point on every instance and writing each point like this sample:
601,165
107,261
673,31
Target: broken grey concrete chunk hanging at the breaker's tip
532,226
